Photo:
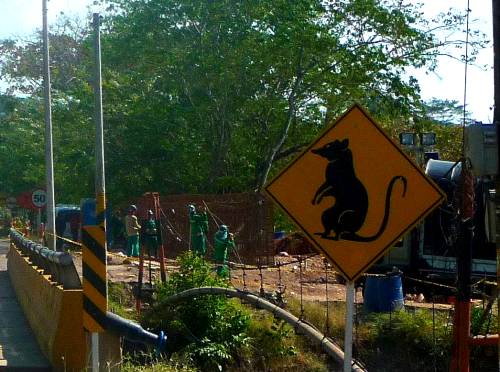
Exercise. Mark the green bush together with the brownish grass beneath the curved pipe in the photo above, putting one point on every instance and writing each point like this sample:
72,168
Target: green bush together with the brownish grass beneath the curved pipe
214,332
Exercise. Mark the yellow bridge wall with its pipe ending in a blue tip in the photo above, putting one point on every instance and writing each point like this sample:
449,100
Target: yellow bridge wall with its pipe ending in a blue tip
55,311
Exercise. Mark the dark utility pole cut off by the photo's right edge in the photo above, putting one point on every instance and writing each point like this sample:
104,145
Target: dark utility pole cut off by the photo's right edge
496,122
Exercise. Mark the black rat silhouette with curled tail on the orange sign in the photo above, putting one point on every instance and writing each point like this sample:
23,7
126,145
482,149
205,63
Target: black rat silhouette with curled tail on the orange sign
346,217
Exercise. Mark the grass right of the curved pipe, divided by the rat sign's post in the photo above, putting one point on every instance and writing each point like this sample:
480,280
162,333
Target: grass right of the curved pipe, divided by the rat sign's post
405,340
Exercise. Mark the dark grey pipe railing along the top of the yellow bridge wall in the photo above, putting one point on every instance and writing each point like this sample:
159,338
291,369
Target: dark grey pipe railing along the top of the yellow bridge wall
59,265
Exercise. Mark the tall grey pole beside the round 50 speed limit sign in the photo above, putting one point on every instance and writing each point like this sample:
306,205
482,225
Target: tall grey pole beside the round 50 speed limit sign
49,159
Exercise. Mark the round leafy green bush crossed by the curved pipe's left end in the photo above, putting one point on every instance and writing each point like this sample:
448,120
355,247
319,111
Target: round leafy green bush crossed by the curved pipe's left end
209,330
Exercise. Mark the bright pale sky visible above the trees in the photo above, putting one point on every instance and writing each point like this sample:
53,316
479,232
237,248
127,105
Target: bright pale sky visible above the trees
20,17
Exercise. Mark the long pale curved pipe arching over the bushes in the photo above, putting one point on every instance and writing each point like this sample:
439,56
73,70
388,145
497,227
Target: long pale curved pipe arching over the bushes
309,331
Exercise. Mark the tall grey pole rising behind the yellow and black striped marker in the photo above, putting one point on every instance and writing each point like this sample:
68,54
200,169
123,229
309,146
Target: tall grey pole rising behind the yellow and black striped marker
100,187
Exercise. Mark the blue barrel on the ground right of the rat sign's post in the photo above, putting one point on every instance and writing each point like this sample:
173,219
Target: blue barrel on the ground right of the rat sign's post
383,293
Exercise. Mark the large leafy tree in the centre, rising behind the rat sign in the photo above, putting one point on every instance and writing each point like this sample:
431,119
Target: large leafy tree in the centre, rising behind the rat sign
260,72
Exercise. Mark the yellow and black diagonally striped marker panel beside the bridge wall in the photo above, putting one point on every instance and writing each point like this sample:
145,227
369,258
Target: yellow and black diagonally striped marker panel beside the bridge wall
95,291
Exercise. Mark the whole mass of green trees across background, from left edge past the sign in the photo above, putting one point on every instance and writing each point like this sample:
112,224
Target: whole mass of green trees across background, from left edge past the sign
209,96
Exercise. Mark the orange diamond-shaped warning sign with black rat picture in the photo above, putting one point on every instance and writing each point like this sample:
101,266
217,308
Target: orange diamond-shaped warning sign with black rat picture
354,192
